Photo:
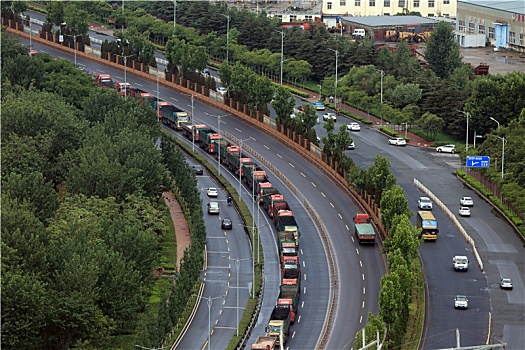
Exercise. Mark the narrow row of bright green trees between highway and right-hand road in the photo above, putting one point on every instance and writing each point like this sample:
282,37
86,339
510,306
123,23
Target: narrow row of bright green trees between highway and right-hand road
401,248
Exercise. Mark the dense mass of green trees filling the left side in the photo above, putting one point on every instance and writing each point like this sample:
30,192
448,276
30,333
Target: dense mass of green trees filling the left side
82,220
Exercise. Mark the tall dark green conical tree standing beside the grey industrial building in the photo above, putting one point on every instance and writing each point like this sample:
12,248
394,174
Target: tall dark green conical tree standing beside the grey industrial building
442,52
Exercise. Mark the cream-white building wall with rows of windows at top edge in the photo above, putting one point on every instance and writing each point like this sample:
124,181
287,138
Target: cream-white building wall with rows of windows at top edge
427,8
